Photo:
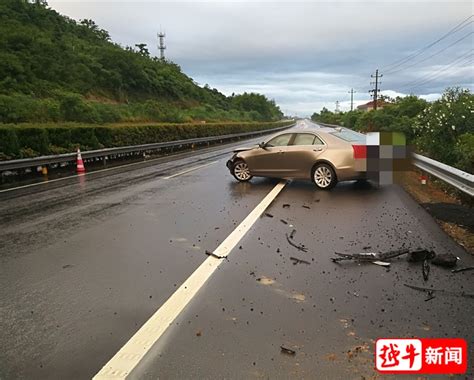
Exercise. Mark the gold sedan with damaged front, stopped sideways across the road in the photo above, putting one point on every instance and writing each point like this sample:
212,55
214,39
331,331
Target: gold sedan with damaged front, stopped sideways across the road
323,155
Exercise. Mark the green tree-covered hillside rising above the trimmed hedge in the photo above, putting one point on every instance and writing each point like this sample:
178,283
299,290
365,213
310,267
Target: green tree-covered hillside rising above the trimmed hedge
54,69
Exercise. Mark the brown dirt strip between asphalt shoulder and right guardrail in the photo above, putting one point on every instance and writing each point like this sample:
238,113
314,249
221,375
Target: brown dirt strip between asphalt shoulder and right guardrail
454,217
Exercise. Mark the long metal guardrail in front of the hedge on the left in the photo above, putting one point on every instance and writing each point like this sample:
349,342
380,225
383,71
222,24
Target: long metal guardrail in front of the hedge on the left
118,151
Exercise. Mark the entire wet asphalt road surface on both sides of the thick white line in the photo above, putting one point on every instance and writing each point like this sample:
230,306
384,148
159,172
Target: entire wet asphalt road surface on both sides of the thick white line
85,262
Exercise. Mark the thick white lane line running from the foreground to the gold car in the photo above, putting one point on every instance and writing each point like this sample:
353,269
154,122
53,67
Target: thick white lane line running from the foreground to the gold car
129,356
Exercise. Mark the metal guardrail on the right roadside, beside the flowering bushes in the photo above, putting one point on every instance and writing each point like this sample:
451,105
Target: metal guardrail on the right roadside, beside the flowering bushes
461,180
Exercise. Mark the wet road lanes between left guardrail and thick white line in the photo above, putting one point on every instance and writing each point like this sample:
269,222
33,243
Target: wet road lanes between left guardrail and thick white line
86,262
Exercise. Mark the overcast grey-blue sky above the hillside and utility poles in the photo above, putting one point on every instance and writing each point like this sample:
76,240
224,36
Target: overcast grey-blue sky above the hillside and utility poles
305,55
